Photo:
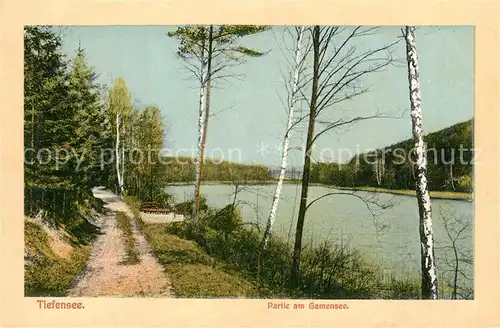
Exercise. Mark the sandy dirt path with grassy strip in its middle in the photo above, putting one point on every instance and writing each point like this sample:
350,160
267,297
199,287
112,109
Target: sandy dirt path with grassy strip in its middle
105,276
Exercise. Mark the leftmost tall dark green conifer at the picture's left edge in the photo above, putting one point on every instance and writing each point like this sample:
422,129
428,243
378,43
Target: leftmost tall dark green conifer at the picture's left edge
48,117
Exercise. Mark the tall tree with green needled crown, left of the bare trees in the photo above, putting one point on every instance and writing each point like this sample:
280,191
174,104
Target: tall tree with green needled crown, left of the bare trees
207,52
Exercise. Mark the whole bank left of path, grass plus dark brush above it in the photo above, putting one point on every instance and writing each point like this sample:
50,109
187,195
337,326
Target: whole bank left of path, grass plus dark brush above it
57,248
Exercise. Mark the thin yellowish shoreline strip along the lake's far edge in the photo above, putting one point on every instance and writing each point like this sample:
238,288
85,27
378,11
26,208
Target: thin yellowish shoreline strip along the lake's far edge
448,195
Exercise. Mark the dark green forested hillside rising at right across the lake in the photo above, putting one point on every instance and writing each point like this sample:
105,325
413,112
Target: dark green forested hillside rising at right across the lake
449,168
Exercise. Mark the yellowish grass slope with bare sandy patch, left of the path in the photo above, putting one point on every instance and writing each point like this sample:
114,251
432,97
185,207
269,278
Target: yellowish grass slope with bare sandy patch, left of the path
52,263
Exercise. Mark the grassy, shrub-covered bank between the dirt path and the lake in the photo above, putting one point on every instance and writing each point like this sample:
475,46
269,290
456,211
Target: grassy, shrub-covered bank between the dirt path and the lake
216,256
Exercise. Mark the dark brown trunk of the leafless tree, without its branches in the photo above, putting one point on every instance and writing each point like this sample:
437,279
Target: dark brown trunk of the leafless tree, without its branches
307,161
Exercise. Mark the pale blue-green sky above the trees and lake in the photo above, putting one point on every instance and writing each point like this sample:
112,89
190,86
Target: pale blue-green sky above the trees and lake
145,57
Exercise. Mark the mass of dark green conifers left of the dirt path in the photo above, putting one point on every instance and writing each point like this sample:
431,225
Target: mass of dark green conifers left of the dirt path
63,116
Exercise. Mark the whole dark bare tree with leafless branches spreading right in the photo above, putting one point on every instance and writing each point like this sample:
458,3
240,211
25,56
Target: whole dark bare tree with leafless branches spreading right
338,71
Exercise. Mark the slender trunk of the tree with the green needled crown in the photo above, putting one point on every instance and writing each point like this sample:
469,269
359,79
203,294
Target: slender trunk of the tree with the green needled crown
201,130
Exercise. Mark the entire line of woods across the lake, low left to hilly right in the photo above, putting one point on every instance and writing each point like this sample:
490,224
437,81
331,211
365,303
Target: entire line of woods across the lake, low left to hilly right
447,169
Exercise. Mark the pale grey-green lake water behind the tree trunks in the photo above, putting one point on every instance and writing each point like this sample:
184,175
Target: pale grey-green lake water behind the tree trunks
389,237
